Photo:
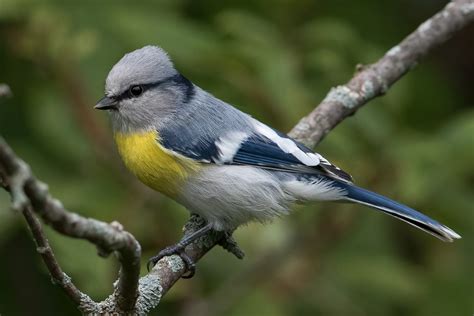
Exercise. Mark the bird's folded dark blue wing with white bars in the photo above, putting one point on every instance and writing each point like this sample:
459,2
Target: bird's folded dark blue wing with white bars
263,147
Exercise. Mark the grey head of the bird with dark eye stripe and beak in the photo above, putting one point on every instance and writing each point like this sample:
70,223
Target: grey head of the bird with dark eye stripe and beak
143,90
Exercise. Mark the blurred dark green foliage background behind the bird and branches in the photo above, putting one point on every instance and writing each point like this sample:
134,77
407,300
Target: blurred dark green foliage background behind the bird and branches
275,60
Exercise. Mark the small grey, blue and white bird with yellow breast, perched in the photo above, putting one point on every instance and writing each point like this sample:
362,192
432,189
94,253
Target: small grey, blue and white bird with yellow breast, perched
217,161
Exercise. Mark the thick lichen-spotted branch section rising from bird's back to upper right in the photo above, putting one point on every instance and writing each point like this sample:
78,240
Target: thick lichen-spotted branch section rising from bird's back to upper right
374,80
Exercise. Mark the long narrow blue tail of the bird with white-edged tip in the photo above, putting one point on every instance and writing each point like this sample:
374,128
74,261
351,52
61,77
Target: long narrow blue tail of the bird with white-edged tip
400,211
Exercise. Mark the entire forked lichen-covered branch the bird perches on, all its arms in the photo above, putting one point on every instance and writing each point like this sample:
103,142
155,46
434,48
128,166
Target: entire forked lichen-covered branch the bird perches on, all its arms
136,295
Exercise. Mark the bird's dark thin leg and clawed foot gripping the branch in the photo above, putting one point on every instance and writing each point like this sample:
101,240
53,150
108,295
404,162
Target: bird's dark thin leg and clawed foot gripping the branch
178,249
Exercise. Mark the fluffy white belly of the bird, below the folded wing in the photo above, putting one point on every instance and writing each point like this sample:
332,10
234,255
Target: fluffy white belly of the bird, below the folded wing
229,196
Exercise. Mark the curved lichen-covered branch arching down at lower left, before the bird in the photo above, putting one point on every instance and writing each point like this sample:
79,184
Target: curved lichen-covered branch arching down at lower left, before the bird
25,189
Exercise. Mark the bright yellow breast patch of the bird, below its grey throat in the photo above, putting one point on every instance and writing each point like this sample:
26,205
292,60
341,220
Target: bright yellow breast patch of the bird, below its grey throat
154,165
